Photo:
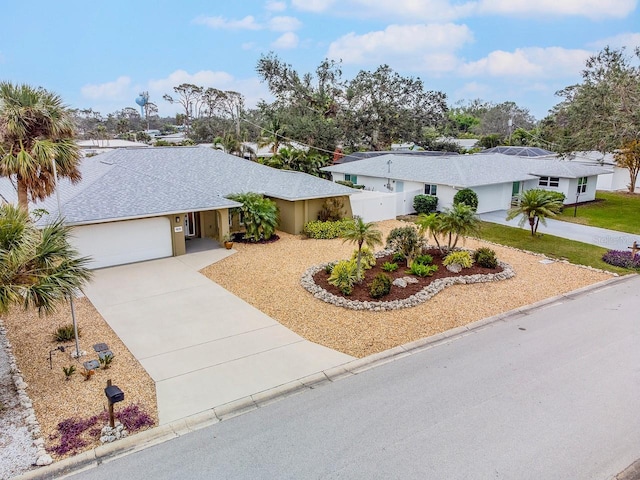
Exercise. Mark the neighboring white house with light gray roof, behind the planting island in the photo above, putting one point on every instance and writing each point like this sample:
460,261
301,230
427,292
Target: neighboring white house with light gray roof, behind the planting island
495,178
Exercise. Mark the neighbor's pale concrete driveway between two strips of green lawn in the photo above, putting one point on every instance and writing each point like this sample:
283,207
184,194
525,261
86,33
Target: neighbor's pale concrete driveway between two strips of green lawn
609,239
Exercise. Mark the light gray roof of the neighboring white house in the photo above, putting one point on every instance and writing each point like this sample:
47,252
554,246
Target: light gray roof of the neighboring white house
463,170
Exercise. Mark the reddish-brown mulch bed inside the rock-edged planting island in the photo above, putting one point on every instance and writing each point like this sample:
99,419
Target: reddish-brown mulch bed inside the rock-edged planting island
361,290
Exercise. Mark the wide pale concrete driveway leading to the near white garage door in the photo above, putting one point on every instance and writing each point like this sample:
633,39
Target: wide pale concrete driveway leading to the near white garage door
203,346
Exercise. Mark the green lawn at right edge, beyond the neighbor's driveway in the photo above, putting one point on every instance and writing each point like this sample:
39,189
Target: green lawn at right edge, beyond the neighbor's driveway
615,210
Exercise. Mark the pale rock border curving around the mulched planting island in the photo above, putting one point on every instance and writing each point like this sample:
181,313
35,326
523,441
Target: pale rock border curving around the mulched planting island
416,299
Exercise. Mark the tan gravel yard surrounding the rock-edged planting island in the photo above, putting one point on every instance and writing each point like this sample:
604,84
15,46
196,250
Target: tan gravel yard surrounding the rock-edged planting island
268,277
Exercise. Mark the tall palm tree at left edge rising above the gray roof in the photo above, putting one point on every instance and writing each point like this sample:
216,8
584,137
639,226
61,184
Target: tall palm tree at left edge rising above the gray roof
36,129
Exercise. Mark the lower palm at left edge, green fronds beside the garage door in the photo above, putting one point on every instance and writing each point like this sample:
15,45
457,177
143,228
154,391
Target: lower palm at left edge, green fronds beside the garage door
38,267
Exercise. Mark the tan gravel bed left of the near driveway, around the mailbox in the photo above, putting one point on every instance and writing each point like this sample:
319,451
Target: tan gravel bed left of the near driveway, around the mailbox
54,398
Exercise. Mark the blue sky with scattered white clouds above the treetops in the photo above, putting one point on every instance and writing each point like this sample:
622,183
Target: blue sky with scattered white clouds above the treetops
102,54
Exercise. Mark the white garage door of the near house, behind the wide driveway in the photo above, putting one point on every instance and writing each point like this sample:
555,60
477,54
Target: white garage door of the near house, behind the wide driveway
117,243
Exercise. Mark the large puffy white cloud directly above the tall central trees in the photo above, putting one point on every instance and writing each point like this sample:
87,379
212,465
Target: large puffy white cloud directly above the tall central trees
401,44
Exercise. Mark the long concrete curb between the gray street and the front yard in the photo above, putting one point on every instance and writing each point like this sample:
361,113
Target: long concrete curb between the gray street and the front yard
163,433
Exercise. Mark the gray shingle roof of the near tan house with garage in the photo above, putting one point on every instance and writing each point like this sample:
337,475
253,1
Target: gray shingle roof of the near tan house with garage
157,181
